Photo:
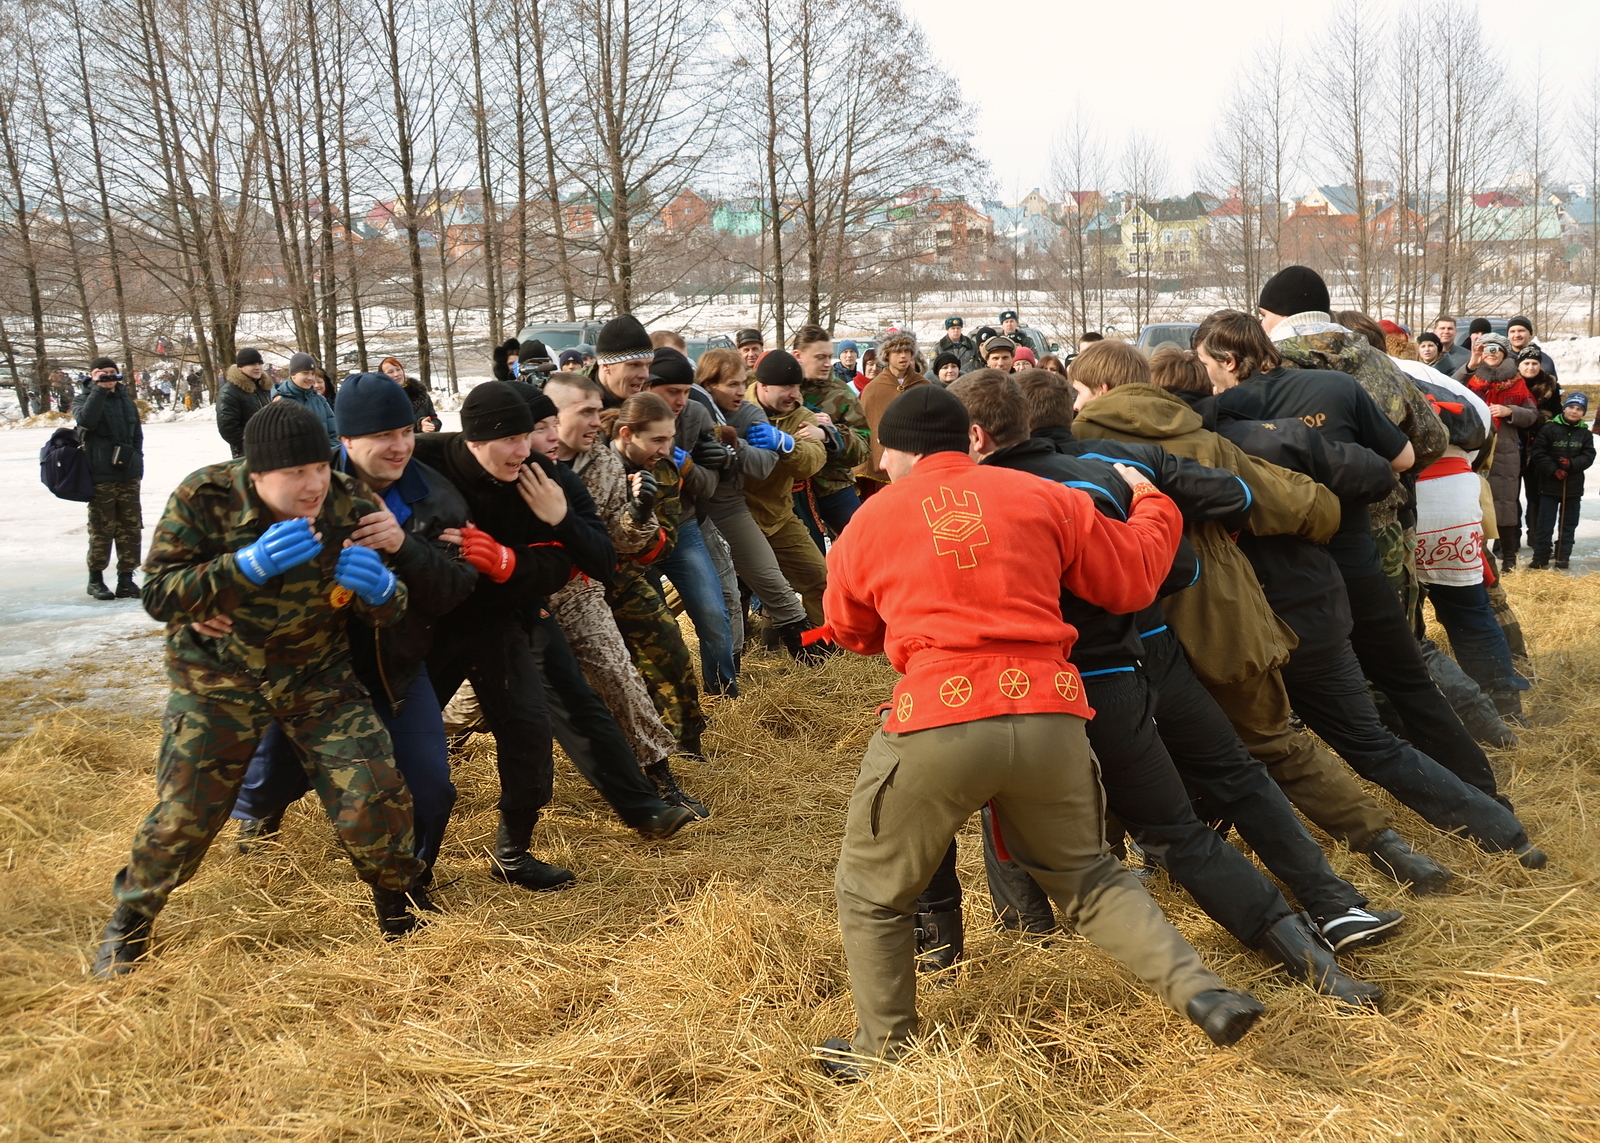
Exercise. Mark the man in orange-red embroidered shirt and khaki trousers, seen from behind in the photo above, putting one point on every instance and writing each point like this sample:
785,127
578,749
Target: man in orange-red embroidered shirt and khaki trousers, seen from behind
956,574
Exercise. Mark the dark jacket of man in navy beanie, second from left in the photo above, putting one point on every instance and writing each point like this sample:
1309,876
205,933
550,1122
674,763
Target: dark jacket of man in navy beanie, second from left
436,577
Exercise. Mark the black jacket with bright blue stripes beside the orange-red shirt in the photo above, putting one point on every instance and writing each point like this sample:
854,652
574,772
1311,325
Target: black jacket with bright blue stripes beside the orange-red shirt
1111,643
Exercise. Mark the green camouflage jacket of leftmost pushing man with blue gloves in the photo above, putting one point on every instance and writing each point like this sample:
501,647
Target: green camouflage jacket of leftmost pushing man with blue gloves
289,630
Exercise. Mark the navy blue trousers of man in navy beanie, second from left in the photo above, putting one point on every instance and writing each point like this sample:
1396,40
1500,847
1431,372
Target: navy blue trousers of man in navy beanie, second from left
278,779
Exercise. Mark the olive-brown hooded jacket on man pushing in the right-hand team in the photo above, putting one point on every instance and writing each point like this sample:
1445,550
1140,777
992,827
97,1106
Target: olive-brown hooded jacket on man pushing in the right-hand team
1223,622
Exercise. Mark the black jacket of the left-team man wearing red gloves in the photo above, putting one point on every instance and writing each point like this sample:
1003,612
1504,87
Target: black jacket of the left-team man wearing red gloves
545,556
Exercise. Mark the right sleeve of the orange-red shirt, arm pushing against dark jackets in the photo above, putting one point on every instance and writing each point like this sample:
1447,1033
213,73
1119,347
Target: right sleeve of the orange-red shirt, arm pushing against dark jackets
1121,566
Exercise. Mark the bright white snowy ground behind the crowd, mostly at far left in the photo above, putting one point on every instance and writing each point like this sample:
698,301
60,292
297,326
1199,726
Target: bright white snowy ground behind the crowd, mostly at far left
46,619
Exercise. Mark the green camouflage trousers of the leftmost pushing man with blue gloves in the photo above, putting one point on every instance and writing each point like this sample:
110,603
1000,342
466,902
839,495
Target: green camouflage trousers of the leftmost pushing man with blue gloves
207,742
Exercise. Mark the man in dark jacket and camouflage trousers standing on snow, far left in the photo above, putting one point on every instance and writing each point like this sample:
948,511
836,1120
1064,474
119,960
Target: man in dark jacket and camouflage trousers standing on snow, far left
113,443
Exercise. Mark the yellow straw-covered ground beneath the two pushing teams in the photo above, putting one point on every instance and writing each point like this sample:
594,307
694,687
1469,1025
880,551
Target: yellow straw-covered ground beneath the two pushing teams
678,992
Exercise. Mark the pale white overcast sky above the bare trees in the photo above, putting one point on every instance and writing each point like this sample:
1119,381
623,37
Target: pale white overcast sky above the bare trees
1164,66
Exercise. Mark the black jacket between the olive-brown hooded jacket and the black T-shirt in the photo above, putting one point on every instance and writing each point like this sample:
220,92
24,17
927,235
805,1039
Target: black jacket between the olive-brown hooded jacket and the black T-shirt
1300,579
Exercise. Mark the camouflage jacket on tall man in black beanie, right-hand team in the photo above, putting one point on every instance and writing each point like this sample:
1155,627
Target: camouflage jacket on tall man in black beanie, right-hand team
1319,345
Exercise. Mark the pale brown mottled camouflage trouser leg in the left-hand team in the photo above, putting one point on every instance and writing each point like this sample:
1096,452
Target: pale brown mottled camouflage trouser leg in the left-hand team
591,632
